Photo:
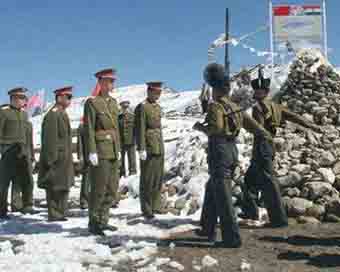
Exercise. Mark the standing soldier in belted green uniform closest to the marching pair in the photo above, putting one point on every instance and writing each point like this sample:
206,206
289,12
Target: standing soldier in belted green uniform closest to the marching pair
150,146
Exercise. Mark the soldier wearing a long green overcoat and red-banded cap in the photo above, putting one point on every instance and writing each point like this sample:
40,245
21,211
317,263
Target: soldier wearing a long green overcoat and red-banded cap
56,173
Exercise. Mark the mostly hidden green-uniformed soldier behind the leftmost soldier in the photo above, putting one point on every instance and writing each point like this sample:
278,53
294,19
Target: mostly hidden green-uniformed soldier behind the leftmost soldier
23,193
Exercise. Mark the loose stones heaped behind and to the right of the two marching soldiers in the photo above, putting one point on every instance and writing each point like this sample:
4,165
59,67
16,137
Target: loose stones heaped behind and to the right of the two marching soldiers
307,163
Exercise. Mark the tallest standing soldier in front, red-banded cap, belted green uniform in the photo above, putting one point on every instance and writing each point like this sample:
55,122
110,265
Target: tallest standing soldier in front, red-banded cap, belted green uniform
103,147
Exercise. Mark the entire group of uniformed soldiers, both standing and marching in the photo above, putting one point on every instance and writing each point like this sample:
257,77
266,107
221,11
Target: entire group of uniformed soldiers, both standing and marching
106,136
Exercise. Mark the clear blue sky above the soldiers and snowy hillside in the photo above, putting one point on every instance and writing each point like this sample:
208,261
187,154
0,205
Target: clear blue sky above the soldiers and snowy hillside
50,44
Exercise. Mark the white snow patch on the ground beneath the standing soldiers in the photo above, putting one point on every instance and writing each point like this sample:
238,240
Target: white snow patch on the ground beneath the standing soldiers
30,243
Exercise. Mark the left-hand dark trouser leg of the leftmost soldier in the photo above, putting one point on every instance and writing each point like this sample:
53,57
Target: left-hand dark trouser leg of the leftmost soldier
7,170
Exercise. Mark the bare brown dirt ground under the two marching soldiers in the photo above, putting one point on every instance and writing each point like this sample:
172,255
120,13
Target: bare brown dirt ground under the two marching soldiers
297,248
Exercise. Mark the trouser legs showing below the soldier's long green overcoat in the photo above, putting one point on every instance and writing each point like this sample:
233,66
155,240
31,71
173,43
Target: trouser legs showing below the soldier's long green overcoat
56,204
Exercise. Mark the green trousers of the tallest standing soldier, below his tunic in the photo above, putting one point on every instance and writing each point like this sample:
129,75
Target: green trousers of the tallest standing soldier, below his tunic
101,192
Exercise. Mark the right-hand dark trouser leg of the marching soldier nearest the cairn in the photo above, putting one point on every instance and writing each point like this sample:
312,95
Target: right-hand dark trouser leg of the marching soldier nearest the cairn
270,188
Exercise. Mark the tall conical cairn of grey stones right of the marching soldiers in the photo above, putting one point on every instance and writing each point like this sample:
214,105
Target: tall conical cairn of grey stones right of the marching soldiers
307,163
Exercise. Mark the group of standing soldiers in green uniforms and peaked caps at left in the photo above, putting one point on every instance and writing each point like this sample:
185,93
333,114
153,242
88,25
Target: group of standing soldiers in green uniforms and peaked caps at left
105,135
